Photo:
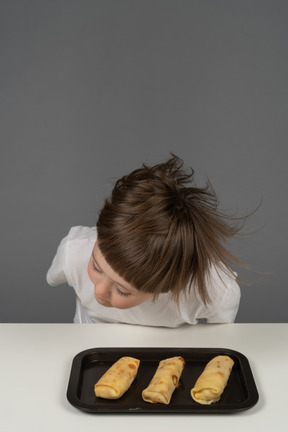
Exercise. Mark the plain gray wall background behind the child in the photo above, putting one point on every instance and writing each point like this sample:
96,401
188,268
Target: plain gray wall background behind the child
91,89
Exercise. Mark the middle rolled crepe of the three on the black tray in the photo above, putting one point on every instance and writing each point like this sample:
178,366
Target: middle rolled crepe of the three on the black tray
164,381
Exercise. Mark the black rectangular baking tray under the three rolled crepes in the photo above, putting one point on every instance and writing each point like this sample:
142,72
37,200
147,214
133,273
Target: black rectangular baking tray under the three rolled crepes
89,365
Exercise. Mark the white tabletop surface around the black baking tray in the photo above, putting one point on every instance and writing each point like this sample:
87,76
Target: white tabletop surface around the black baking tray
36,359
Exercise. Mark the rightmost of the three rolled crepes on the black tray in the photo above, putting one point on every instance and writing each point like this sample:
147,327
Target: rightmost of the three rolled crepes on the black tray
211,383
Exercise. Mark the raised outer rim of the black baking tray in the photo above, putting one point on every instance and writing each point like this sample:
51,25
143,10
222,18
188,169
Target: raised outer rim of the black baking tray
71,393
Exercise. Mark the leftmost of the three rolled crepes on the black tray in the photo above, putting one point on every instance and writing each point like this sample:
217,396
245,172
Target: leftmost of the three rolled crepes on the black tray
118,379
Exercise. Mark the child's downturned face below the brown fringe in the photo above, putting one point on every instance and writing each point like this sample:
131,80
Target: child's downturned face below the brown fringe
110,289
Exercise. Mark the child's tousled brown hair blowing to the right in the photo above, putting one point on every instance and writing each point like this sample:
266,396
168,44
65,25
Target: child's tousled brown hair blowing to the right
161,234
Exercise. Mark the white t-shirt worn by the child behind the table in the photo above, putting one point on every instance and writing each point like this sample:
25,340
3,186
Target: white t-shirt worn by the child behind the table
70,266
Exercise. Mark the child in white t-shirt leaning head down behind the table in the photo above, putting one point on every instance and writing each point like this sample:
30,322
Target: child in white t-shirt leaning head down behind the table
157,256
